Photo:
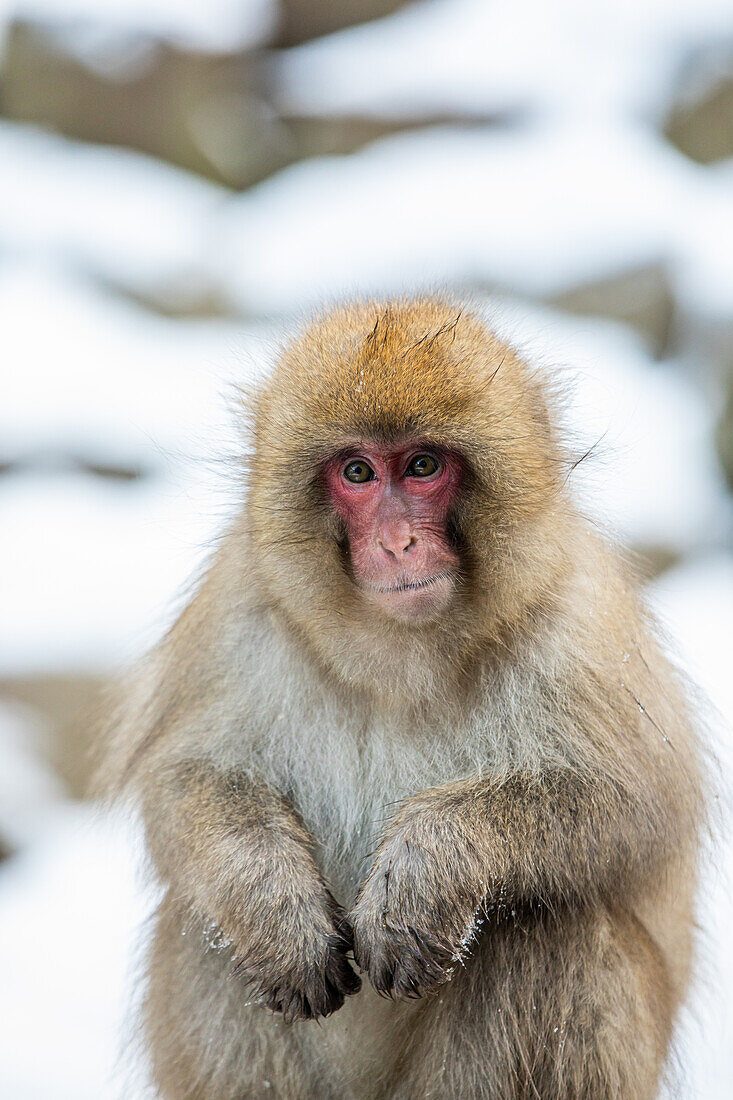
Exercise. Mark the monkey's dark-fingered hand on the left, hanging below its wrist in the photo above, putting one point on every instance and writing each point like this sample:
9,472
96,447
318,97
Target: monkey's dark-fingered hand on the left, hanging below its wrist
293,956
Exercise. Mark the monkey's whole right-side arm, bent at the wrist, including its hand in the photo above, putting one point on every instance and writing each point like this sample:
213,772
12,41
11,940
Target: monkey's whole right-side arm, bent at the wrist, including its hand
555,839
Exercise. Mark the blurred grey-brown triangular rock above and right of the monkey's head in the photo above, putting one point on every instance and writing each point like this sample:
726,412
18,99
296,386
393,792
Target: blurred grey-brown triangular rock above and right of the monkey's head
641,298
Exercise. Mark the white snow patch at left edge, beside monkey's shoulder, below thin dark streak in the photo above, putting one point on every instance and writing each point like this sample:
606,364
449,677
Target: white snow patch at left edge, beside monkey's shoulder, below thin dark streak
92,575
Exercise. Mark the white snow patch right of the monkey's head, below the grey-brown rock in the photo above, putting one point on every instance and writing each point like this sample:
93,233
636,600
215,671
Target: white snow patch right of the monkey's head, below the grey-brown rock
653,478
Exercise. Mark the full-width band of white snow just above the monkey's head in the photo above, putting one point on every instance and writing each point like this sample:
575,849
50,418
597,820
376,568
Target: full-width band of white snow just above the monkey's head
442,206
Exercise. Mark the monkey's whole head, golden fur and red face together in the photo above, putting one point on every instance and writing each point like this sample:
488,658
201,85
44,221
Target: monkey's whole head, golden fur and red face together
407,491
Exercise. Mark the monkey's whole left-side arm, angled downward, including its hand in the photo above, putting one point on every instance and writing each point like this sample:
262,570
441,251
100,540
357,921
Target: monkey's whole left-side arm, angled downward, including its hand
236,854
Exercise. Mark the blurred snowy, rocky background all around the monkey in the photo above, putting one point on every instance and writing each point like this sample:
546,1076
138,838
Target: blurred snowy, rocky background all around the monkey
180,183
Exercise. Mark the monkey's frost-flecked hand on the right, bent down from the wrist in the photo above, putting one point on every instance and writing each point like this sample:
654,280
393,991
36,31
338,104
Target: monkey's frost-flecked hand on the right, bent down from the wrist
419,910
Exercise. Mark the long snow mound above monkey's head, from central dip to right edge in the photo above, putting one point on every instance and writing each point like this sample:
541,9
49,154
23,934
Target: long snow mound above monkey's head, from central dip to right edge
532,211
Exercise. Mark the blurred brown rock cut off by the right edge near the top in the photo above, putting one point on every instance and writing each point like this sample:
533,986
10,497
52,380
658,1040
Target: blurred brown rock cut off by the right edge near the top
701,124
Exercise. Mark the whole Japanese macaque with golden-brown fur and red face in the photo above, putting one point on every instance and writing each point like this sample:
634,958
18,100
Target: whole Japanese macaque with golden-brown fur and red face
413,738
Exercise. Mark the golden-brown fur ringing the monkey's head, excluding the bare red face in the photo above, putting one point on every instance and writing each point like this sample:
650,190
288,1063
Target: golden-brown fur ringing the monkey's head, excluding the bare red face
409,370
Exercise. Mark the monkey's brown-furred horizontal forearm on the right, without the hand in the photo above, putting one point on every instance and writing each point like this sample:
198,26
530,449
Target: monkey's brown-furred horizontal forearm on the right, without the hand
554,838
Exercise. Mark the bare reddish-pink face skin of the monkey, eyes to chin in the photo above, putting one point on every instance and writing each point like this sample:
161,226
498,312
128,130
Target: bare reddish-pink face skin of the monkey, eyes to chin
396,505
